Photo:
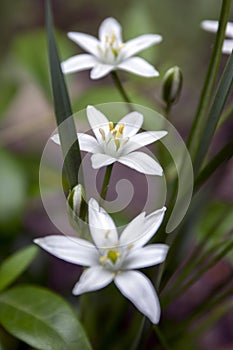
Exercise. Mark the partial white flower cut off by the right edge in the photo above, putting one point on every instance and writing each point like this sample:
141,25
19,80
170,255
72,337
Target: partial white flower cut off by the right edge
212,26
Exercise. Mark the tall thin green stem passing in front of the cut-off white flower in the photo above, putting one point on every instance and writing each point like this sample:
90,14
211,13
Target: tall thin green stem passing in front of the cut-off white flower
201,115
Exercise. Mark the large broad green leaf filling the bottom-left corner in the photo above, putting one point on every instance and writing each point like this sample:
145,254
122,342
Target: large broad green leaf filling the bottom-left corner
41,319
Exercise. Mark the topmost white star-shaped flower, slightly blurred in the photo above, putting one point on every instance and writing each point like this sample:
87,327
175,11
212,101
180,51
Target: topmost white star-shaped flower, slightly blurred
110,53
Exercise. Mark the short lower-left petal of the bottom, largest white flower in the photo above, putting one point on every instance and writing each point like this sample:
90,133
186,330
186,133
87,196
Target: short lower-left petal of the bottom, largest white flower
92,279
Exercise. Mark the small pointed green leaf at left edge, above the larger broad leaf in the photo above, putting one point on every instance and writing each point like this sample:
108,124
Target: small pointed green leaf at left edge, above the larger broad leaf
15,265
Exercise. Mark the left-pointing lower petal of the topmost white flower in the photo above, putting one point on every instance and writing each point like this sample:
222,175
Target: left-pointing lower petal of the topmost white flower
78,63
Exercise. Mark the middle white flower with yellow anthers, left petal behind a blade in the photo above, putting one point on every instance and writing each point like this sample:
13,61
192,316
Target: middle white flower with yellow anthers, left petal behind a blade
118,143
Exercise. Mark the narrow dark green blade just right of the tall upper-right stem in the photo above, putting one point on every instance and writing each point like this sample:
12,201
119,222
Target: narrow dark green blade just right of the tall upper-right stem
222,93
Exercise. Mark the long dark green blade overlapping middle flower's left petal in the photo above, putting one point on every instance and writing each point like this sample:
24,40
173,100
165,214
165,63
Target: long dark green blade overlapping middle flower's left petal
63,111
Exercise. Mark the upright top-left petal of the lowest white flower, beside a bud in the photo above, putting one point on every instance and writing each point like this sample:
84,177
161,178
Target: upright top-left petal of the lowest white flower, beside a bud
102,227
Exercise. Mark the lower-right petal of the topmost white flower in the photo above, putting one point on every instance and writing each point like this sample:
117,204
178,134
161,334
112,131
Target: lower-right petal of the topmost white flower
139,66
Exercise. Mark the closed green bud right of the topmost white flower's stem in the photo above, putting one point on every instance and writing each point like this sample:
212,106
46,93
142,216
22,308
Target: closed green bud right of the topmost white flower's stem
172,84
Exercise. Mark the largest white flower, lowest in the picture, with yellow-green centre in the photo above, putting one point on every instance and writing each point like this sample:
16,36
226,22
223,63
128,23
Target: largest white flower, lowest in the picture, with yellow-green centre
114,258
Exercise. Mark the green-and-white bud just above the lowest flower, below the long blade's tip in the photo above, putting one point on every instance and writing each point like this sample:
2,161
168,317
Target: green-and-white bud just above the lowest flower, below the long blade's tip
76,205
